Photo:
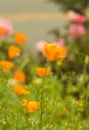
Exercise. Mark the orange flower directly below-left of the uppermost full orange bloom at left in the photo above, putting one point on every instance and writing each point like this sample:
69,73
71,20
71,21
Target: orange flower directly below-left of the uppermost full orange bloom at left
13,51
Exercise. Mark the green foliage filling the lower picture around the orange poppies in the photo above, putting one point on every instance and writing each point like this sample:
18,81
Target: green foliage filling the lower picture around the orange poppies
63,95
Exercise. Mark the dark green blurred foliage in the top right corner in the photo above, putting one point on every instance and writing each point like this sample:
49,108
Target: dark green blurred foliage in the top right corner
77,5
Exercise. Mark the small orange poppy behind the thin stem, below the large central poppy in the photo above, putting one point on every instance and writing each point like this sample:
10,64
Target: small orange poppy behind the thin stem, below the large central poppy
43,71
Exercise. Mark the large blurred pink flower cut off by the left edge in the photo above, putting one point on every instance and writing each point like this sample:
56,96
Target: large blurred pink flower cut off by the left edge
6,25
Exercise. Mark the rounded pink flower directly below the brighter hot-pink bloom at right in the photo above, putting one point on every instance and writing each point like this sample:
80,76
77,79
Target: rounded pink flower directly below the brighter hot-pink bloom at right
76,30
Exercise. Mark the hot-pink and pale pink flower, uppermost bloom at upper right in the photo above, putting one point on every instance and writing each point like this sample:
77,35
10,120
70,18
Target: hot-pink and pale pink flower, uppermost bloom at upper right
75,17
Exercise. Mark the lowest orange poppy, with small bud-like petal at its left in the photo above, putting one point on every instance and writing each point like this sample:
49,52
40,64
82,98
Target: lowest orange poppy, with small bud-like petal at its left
31,106
